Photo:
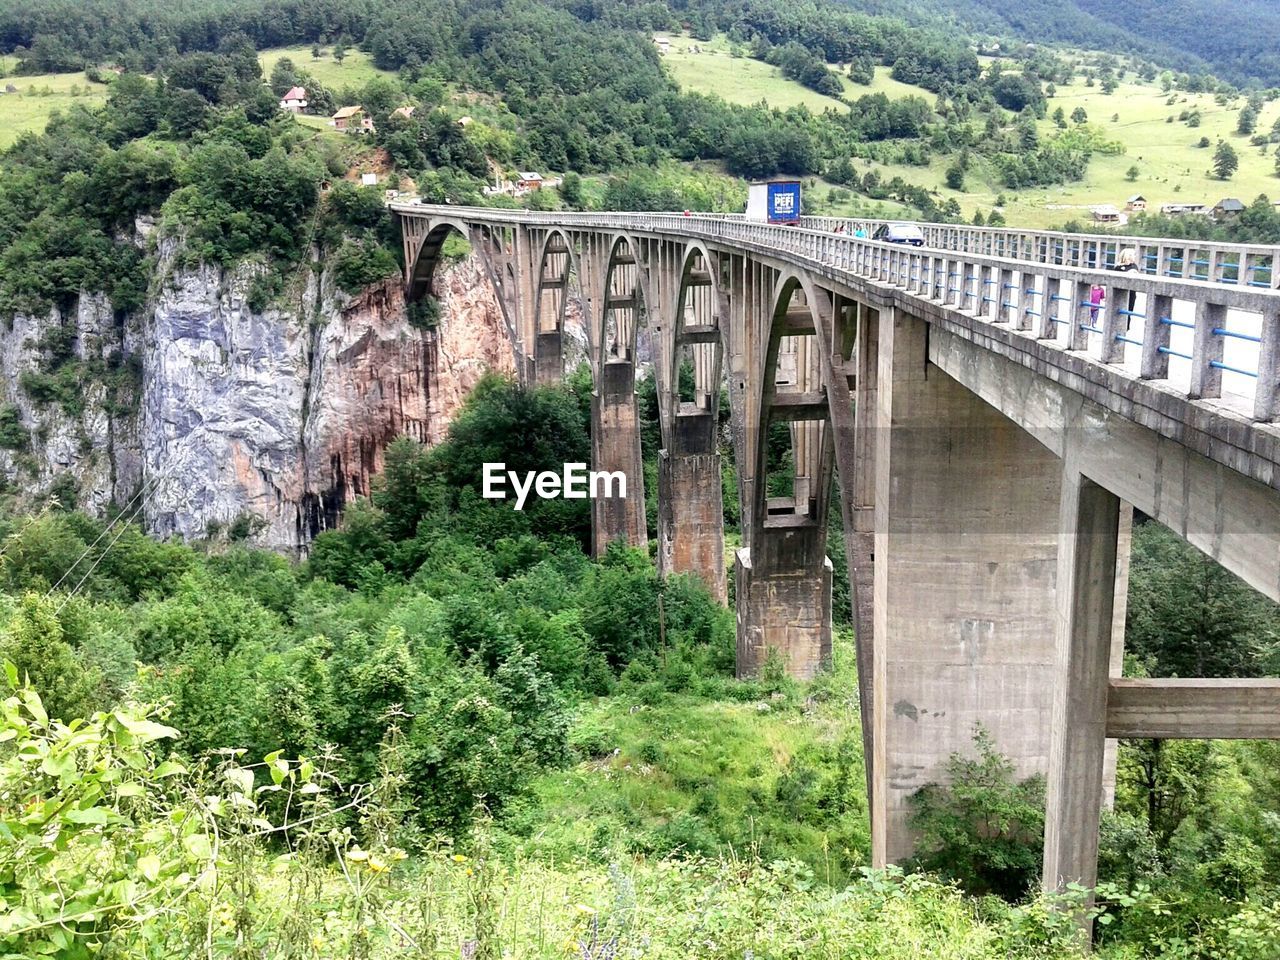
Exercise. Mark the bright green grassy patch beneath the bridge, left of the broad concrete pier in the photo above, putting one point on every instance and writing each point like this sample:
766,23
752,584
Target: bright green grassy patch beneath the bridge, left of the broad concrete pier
666,774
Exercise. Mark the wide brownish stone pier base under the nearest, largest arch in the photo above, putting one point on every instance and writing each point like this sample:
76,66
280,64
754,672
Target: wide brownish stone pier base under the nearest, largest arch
783,593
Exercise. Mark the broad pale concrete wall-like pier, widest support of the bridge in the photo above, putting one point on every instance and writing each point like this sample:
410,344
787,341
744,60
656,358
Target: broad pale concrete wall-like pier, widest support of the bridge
967,536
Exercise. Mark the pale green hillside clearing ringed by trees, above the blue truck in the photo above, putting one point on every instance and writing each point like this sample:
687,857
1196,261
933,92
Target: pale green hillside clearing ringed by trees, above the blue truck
740,80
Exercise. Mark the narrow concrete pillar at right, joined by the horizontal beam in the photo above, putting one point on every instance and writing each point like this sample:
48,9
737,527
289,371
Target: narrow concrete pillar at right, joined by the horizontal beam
1091,525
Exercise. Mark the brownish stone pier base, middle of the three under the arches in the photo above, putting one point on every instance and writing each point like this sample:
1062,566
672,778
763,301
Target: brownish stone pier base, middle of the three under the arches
692,506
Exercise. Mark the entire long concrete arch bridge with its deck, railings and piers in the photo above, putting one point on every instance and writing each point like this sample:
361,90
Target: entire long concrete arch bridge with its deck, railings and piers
991,432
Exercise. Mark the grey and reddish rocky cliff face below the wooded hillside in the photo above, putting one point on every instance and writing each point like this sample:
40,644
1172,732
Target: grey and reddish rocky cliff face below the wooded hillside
268,420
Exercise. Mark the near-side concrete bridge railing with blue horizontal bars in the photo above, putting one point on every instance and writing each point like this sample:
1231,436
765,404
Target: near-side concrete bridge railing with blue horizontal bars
1204,339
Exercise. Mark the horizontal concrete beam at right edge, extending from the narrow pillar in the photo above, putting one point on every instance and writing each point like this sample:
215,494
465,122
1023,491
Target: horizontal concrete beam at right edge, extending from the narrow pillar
1219,710
